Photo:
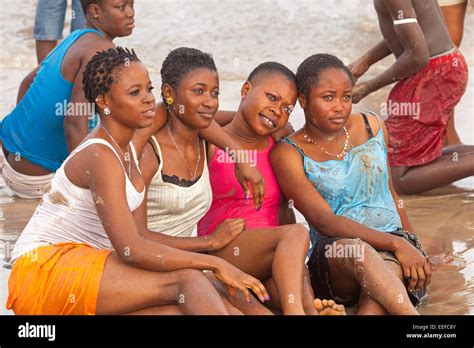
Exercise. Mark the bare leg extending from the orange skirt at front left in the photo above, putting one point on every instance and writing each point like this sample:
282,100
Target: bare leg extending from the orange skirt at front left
126,289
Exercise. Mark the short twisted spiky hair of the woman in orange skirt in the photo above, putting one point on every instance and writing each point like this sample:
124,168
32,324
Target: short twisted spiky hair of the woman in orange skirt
102,68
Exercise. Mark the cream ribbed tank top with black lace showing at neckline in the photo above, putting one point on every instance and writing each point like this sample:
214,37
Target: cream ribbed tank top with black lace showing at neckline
175,210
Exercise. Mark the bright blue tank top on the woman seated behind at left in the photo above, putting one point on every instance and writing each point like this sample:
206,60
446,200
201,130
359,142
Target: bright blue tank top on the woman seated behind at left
35,127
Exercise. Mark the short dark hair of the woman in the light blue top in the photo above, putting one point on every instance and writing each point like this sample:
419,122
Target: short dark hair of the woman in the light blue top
310,70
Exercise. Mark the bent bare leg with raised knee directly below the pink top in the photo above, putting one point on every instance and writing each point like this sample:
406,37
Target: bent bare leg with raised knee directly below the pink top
273,252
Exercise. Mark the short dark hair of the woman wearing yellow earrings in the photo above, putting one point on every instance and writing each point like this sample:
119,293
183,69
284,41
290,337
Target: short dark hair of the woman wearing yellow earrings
180,62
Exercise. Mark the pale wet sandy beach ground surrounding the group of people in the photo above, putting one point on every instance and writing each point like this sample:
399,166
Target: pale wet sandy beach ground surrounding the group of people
240,35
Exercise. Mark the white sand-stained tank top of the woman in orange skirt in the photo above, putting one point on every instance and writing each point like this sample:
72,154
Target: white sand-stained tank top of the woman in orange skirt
67,212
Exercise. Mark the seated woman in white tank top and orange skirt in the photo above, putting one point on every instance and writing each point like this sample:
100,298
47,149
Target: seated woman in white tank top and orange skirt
82,251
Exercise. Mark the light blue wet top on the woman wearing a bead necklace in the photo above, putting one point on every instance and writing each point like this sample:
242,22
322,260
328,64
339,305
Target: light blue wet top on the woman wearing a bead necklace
356,187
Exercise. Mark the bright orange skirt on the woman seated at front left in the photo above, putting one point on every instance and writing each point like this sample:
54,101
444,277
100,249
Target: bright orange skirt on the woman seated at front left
57,279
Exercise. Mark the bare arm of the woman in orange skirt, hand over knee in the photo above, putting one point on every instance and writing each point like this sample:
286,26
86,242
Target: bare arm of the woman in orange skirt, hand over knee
106,175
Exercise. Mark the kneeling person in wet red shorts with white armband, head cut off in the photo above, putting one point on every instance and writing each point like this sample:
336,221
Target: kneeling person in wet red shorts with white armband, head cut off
432,78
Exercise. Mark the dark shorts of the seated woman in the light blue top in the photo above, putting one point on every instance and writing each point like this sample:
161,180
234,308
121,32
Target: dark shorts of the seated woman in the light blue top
319,272
